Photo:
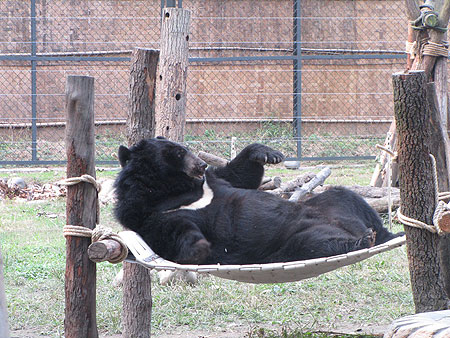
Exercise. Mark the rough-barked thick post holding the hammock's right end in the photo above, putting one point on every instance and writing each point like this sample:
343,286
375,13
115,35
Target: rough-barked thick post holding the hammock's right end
417,191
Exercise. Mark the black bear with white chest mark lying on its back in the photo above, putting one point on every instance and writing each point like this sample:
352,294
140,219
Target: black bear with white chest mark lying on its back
190,214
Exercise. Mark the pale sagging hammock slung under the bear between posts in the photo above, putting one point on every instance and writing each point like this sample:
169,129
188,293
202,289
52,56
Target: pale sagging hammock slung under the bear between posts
255,273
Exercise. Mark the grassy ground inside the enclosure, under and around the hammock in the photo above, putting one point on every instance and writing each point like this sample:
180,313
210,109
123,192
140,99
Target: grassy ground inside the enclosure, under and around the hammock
374,291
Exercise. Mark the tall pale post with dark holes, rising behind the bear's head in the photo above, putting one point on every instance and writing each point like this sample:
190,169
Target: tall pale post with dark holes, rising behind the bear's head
171,89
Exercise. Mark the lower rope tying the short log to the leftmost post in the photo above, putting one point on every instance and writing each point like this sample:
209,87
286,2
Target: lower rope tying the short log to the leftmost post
99,233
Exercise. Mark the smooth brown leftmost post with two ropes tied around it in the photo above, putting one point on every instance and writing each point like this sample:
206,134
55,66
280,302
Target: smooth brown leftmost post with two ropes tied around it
81,208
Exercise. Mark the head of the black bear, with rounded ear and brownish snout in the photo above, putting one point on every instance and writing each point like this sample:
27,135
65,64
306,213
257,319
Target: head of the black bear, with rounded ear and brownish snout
159,155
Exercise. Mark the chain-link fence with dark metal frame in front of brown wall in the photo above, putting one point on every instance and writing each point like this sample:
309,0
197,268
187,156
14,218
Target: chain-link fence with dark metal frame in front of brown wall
310,77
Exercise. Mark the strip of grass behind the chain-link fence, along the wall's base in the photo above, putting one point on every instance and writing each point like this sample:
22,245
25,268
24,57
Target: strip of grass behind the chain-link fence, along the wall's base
277,134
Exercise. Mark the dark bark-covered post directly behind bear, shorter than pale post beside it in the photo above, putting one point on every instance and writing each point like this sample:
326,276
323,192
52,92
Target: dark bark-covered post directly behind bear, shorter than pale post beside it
137,296
